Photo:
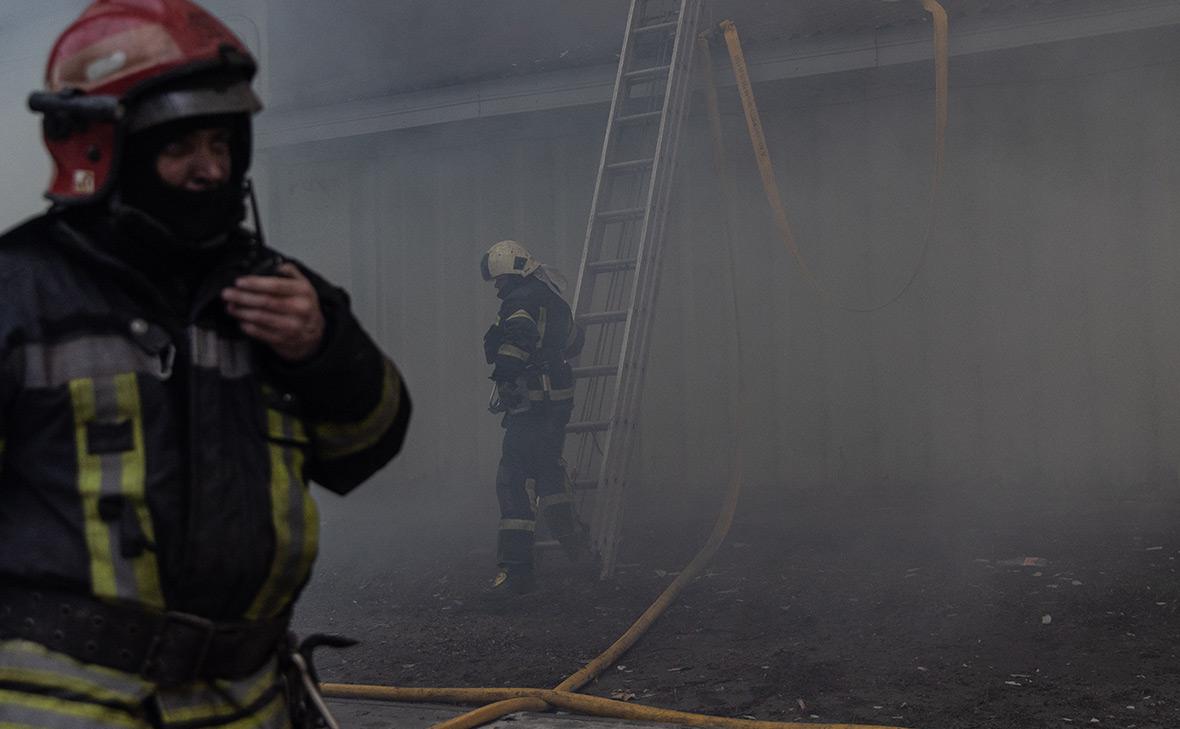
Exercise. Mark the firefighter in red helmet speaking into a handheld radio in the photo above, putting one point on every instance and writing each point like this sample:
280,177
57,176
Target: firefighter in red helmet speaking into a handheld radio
168,388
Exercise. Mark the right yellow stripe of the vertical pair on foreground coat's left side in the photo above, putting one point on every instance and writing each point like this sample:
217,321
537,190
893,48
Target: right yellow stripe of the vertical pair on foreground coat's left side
133,485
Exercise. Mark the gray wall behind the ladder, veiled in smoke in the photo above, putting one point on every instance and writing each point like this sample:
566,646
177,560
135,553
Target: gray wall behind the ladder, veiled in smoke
1031,360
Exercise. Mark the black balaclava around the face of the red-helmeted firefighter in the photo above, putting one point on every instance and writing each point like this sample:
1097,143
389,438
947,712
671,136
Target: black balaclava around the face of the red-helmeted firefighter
196,220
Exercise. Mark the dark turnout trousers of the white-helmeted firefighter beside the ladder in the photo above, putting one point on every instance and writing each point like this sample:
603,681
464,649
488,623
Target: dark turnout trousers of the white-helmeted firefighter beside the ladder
532,481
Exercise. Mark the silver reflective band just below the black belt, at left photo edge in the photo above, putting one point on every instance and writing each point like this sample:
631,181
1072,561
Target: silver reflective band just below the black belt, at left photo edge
32,665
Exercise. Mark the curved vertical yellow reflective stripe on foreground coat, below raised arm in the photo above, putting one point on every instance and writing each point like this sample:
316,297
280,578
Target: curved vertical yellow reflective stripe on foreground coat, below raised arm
296,520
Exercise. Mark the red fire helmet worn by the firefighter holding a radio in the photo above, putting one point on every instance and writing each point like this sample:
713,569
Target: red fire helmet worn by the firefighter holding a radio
127,65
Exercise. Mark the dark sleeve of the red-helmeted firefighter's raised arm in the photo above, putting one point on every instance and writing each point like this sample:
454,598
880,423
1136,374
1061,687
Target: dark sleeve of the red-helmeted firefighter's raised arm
351,395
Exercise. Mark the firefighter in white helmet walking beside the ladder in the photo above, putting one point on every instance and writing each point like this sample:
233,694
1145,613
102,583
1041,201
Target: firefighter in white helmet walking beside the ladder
529,347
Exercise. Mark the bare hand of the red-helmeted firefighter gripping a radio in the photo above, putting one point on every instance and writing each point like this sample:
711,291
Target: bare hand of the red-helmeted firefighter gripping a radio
281,312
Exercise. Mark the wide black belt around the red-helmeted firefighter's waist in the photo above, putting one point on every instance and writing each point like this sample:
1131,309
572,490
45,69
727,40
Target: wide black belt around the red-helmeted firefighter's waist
166,648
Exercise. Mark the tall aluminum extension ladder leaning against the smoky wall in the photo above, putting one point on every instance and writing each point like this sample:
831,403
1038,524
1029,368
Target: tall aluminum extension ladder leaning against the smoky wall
619,274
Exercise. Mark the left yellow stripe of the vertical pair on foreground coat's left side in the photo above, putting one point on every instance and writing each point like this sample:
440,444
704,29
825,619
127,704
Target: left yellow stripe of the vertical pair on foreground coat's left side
90,484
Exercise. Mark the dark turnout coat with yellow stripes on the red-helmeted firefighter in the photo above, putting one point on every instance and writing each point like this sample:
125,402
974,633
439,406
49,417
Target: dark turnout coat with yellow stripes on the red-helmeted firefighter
150,454
